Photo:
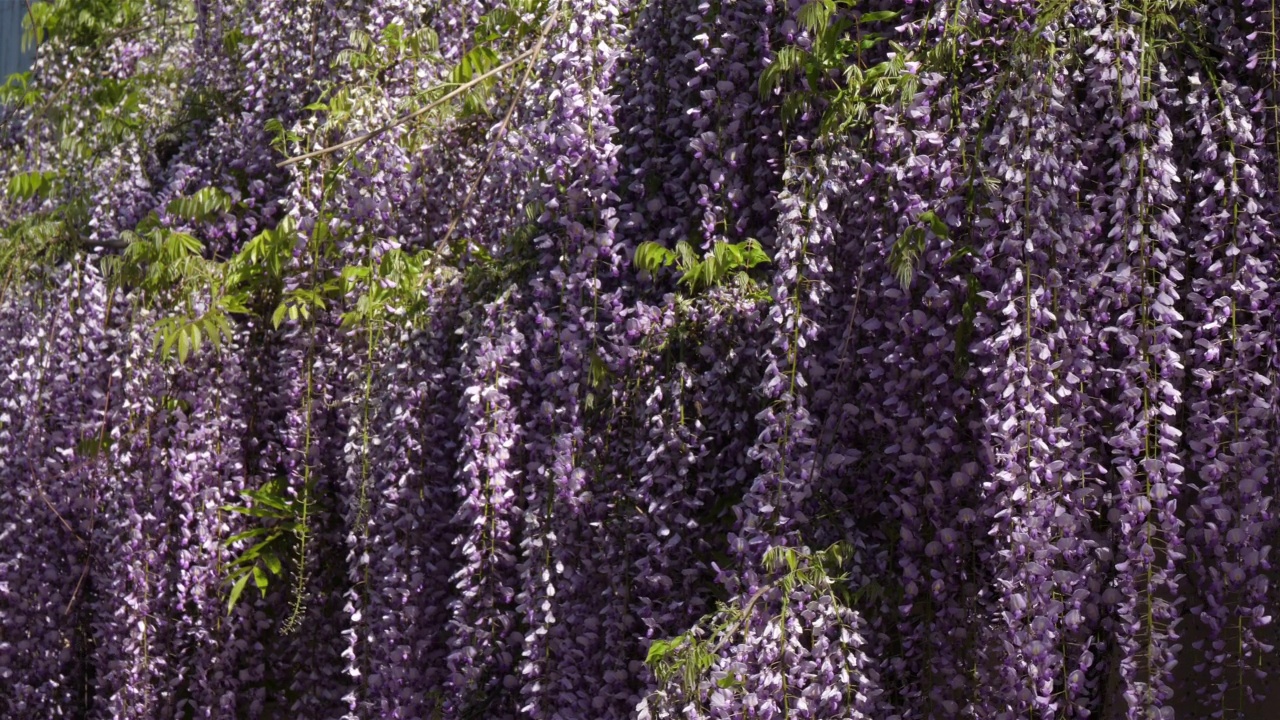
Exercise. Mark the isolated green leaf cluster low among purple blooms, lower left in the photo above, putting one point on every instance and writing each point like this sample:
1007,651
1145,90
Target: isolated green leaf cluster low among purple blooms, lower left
282,525
